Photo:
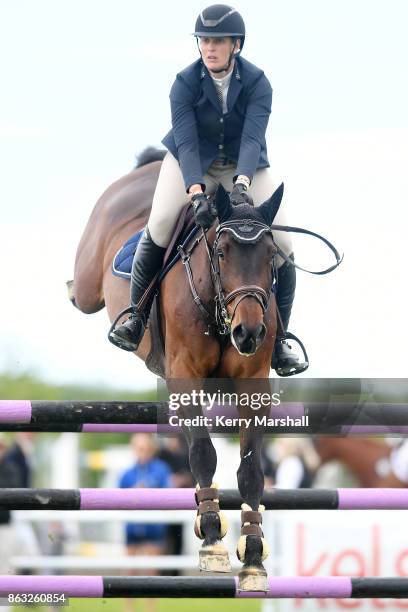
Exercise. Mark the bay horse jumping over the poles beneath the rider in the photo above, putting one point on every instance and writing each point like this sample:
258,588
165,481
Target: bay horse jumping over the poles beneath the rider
193,350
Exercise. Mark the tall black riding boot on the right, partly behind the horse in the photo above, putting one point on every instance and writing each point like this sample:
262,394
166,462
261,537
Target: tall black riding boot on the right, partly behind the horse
285,361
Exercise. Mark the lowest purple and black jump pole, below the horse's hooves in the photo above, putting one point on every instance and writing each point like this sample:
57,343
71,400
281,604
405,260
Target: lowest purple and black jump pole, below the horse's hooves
207,587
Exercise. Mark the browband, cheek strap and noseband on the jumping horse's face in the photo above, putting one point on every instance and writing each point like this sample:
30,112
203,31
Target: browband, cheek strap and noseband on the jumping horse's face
244,231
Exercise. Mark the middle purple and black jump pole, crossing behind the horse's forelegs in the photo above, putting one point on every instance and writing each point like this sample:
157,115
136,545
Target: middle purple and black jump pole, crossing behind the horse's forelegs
184,499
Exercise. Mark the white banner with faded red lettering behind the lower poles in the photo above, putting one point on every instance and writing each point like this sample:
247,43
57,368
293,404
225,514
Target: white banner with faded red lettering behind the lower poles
337,543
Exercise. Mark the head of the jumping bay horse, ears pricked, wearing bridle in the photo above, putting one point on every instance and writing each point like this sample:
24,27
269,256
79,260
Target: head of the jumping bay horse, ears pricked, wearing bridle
243,258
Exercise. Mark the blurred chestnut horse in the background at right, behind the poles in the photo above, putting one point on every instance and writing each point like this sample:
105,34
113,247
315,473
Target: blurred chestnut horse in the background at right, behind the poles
360,456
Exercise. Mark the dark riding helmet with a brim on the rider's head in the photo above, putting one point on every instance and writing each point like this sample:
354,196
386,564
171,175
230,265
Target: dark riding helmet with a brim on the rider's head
220,20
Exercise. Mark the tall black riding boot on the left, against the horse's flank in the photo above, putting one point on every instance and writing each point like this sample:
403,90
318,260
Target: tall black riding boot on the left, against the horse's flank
147,262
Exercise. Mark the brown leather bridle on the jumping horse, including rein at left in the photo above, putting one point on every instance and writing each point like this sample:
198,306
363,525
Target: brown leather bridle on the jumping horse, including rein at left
244,231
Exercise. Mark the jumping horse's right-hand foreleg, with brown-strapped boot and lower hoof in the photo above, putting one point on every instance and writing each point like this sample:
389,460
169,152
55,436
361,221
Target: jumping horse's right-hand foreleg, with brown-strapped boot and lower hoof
252,548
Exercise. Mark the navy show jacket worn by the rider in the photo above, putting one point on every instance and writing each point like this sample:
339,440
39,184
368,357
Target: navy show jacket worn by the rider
200,129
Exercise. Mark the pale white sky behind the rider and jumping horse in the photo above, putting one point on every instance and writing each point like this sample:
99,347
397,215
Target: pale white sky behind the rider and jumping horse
84,88
